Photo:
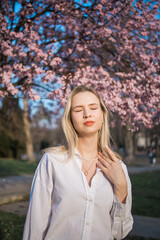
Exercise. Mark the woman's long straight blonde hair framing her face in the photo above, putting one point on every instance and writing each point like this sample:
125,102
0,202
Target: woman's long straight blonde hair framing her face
70,132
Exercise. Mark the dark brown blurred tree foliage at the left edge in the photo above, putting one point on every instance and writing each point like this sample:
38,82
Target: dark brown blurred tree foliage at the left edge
12,135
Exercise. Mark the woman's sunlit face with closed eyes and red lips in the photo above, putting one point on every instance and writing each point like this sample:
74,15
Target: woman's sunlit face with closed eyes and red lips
86,113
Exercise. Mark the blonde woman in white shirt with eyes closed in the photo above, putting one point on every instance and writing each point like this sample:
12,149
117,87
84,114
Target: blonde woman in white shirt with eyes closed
81,192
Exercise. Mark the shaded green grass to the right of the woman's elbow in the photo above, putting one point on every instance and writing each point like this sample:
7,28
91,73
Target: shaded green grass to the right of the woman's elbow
146,194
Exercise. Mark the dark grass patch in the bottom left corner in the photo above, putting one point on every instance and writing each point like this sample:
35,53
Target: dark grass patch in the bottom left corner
11,226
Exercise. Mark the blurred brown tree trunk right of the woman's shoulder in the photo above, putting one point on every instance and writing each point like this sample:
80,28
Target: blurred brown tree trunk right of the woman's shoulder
129,146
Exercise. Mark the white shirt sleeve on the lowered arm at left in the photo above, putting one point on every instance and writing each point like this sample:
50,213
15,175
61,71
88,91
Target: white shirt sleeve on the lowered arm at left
39,210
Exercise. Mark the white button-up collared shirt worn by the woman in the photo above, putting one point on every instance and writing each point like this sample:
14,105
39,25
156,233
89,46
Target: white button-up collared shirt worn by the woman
64,207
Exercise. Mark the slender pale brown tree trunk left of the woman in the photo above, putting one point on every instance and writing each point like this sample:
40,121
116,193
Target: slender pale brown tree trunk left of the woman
29,144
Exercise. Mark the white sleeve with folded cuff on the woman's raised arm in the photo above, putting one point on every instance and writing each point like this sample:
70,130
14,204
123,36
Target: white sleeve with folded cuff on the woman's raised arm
122,220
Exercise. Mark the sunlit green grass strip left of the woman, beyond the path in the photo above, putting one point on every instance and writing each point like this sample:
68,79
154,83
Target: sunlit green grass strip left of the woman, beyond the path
16,167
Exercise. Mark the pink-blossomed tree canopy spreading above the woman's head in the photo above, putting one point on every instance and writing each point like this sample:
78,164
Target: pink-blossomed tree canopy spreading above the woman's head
48,47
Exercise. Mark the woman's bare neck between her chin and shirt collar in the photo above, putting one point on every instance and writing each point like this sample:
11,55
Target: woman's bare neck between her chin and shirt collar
87,147
